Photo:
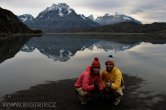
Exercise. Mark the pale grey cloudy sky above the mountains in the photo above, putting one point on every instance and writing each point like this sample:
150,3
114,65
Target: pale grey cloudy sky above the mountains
147,11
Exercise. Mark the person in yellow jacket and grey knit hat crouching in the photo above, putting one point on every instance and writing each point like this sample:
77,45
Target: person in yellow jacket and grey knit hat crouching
112,79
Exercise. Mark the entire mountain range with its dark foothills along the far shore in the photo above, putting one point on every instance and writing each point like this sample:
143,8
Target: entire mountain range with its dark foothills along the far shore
61,18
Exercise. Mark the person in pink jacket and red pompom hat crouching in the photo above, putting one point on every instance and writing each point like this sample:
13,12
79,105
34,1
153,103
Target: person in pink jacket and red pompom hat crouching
89,81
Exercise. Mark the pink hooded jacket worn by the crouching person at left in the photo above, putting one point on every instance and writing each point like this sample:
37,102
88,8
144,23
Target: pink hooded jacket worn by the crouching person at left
86,80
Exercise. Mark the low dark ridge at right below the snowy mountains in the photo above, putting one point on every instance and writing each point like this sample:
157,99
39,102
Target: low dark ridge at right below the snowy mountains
130,27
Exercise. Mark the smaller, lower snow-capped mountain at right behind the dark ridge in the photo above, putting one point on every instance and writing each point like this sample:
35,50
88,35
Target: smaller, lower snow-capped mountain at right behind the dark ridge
115,19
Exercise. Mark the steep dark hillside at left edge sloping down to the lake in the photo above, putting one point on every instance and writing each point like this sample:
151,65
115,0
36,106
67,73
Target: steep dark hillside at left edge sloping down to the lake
10,24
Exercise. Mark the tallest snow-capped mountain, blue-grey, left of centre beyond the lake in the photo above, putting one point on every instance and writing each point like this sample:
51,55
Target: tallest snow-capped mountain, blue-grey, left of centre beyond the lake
60,18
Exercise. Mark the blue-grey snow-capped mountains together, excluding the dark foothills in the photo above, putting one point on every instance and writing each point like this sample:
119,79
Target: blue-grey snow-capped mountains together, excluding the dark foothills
61,18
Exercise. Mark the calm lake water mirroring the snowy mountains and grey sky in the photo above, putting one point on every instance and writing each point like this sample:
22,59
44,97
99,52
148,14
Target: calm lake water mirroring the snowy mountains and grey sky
25,63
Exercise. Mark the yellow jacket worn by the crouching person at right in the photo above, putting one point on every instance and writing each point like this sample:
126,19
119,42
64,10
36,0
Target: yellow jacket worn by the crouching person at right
115,76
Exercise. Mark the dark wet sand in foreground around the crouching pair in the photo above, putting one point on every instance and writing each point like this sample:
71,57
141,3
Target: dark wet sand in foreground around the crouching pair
62,92
